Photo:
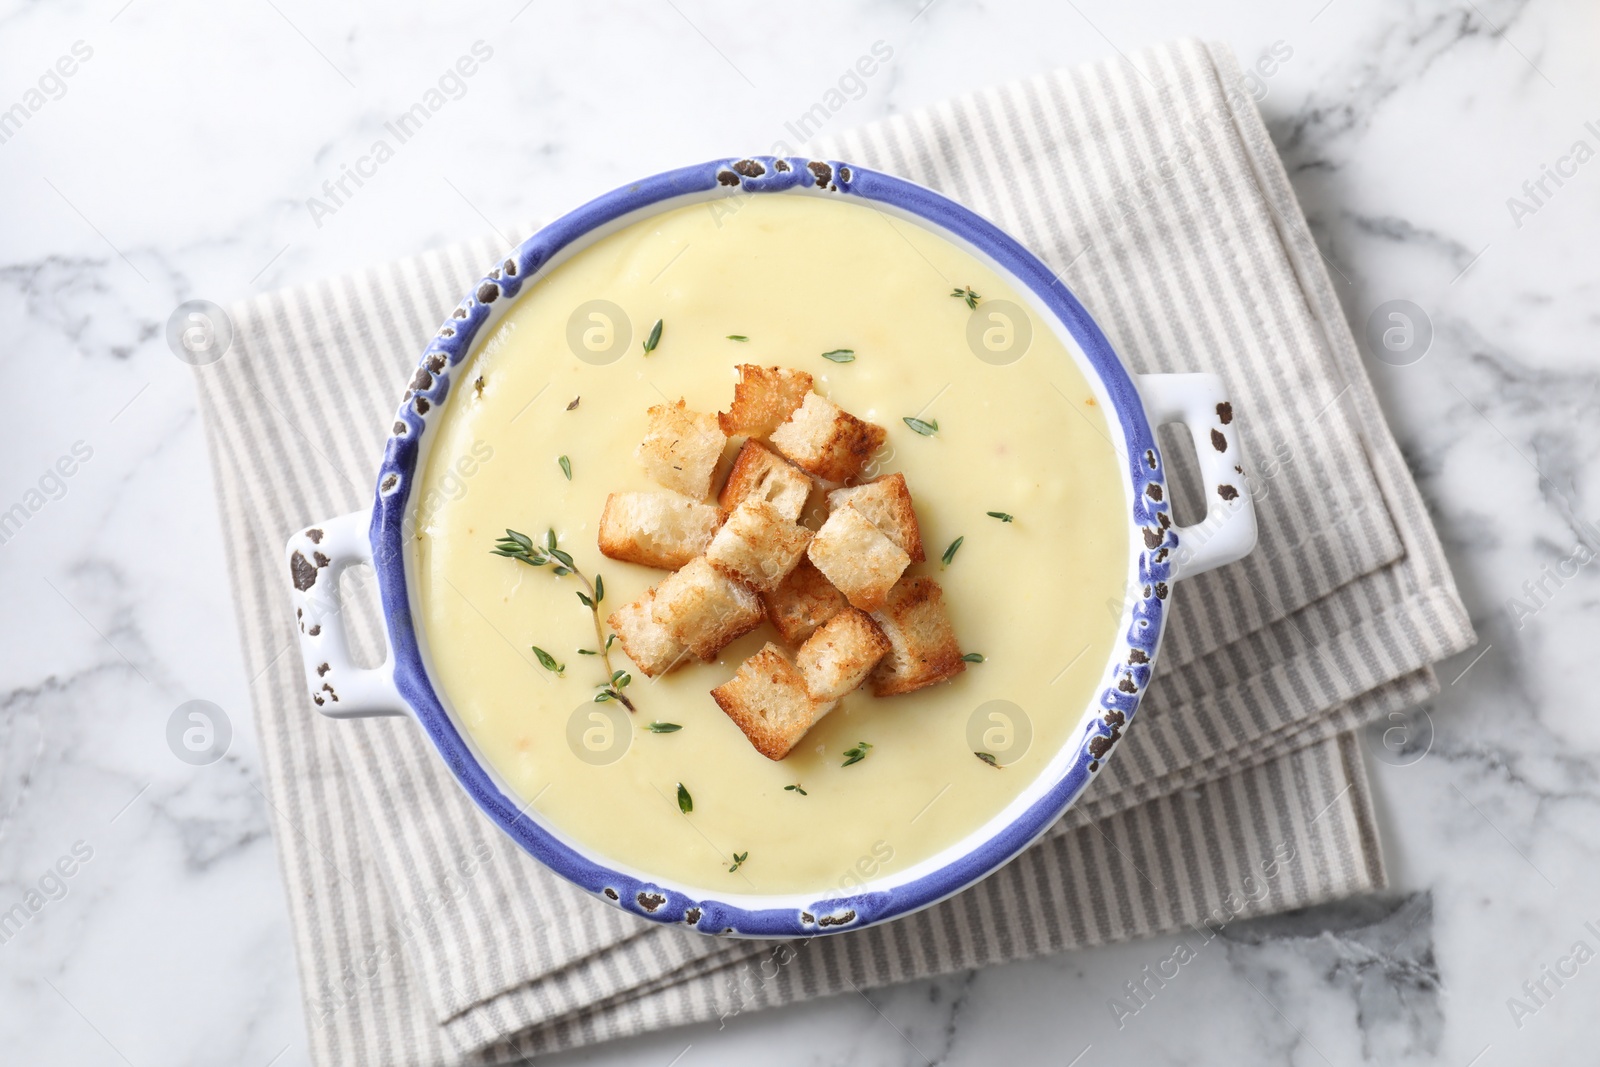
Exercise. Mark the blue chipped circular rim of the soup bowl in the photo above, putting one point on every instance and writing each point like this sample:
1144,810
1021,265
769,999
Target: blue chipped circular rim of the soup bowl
1118,701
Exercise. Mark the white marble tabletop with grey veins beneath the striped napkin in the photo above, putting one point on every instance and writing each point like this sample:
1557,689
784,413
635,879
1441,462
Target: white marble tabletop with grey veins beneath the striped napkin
177,162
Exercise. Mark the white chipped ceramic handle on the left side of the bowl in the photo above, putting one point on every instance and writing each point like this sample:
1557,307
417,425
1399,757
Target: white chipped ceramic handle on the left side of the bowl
318,557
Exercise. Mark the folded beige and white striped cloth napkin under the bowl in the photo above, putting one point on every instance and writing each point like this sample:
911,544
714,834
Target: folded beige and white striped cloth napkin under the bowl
1150,183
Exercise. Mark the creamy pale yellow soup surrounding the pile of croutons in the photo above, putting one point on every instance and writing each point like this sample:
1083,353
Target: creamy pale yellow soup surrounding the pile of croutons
798,278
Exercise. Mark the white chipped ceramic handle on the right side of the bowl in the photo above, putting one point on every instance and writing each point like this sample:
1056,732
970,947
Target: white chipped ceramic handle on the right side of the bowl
1228,532
